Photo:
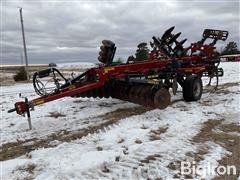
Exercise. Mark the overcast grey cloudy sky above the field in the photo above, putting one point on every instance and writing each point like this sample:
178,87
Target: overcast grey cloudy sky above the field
71,31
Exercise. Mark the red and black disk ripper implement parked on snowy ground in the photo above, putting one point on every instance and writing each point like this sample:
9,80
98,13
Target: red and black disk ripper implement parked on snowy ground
141,81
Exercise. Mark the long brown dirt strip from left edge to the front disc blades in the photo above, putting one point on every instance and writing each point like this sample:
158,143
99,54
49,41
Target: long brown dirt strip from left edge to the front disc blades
19,148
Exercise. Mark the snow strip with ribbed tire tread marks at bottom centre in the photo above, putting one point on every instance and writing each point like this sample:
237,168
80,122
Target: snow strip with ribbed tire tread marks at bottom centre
137,164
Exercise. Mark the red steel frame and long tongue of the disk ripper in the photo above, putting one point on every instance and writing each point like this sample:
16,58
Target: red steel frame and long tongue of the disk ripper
104,73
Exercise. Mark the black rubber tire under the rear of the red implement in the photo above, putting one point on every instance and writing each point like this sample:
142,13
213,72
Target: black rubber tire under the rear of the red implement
192,88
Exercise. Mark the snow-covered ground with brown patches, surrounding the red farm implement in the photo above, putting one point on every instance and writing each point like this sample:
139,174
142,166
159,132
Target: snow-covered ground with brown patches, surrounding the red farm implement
81,138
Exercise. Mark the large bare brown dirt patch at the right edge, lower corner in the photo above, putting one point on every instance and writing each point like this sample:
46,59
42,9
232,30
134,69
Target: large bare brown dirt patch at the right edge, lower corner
227,136
